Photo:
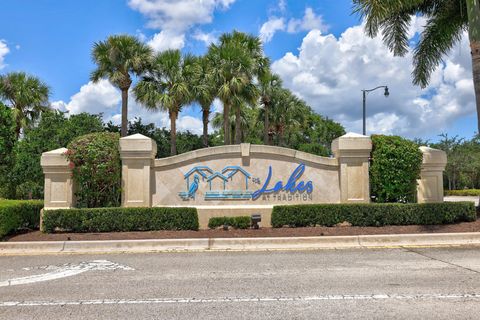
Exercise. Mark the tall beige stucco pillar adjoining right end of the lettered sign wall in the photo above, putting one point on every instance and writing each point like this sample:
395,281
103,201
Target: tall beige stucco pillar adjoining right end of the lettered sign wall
353,153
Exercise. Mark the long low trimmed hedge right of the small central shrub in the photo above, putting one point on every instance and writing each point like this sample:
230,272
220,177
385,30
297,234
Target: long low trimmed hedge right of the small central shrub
373,214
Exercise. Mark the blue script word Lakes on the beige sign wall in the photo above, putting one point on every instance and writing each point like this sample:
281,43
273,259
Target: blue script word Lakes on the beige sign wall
290,186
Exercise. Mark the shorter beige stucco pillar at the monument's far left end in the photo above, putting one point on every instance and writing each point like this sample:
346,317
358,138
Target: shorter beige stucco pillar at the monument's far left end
59,187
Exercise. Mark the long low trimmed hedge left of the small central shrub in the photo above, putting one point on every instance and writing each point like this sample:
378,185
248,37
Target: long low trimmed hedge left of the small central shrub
120,219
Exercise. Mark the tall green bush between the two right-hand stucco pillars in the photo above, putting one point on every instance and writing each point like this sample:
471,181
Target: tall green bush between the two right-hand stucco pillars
394,169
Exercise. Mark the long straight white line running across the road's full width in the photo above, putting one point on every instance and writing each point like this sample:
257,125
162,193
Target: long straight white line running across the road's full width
453,296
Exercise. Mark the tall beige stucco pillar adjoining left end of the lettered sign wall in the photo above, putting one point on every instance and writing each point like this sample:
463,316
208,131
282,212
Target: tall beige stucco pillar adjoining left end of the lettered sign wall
138,154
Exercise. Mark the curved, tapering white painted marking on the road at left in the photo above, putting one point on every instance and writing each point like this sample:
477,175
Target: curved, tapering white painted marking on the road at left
66,270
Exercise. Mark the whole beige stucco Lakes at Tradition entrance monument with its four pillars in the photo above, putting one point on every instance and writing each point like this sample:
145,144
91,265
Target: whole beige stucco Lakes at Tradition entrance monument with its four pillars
244,179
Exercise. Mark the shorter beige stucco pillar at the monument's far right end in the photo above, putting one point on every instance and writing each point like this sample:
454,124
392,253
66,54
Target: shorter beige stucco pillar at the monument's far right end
430,184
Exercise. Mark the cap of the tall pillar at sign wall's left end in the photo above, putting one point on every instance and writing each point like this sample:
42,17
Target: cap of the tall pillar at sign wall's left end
137,146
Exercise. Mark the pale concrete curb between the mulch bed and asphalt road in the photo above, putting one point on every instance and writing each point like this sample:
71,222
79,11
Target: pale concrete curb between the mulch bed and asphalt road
239,244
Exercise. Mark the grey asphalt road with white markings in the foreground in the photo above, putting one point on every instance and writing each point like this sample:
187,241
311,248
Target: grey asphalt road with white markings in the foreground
421,283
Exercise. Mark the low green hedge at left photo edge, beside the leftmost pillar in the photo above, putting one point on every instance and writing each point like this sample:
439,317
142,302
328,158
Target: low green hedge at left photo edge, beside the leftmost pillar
19,214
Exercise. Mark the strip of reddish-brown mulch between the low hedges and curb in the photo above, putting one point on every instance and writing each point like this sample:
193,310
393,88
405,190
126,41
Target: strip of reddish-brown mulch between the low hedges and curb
263,232
